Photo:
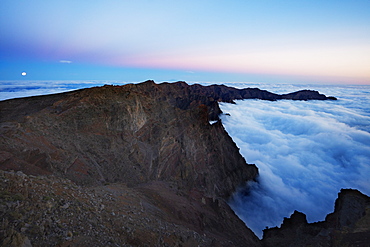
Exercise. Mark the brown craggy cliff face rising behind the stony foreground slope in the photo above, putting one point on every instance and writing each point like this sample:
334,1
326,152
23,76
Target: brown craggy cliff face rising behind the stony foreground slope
132,134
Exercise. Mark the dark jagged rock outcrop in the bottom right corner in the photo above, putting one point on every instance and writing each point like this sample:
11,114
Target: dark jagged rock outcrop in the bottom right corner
348,225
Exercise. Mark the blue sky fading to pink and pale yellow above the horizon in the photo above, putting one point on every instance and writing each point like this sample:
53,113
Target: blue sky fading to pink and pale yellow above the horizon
214,41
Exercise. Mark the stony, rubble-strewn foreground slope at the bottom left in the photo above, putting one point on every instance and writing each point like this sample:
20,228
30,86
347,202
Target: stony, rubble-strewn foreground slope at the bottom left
52,211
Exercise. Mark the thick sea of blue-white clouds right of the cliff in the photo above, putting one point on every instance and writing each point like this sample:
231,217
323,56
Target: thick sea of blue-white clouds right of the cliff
306,151
